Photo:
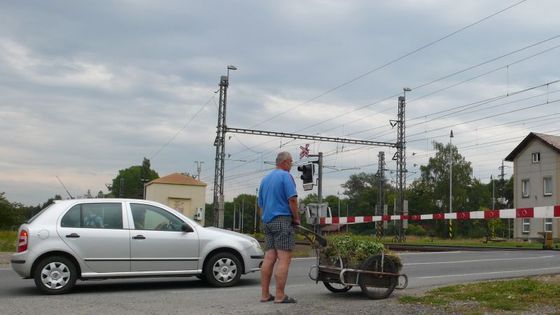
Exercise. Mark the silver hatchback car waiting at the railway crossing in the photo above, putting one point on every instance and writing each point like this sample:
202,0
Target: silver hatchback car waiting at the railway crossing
118,238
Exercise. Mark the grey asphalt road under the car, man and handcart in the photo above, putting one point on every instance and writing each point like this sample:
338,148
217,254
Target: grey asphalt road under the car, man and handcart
191,296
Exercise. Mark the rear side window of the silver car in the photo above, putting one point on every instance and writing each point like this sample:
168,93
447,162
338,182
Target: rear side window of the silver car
94,215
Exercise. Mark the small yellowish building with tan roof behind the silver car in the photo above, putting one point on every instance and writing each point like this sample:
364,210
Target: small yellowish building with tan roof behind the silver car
180,192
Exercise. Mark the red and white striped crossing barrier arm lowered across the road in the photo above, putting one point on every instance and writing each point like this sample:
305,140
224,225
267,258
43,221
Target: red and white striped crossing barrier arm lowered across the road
536,212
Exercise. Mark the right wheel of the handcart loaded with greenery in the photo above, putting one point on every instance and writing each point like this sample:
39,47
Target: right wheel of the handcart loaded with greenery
378,286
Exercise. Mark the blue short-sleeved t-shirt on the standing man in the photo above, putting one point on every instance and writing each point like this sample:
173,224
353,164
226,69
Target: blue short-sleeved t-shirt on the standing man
275,190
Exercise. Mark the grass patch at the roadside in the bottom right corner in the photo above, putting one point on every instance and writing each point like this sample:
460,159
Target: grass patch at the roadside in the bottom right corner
507,296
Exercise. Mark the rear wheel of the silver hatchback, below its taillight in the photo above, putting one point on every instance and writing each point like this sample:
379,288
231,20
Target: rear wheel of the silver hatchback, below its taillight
55,275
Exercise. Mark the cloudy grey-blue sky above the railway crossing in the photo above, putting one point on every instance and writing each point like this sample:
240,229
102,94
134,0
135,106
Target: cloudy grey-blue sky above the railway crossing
91,87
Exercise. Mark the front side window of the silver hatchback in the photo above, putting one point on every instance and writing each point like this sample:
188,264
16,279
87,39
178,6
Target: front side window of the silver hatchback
147,217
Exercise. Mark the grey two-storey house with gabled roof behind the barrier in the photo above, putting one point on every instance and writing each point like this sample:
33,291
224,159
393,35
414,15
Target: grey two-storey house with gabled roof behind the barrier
536,171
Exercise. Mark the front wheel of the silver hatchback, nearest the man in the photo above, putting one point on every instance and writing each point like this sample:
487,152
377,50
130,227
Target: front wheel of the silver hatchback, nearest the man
222,270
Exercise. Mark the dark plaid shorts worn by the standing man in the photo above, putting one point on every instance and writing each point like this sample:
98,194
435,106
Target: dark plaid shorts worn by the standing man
279,233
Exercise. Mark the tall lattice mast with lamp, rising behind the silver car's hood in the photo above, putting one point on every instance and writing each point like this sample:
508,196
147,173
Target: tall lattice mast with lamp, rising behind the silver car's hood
220,143
